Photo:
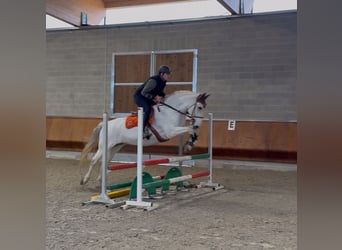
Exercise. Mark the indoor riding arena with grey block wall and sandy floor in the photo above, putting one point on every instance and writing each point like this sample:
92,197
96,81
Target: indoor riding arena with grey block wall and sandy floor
246,148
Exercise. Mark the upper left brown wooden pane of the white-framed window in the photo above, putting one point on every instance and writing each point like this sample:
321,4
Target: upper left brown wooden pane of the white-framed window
132,68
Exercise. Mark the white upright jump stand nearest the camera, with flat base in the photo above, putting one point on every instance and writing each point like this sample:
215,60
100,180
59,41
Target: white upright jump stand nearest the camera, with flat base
139,202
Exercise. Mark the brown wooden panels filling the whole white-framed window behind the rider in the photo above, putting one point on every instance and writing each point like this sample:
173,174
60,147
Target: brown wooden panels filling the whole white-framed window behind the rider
135,69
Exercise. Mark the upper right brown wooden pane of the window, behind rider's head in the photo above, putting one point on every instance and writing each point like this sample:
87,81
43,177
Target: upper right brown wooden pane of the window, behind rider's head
181,65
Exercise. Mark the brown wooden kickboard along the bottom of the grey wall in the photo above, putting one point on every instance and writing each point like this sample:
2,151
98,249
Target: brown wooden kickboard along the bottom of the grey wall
263,141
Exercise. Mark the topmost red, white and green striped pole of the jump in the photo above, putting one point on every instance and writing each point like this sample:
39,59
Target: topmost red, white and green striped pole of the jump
159,161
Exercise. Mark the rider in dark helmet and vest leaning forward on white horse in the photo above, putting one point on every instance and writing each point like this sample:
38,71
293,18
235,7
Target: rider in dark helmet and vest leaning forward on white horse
150,93
